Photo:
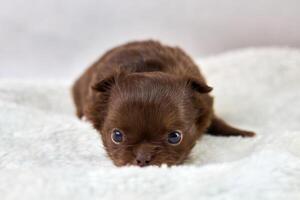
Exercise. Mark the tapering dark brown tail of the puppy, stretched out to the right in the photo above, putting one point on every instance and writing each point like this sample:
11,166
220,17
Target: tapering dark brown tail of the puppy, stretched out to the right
221,128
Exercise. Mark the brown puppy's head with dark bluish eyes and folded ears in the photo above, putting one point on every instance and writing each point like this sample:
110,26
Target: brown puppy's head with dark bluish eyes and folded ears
149,118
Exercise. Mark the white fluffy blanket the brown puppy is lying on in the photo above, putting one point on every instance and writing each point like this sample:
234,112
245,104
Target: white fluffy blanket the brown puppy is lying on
47,153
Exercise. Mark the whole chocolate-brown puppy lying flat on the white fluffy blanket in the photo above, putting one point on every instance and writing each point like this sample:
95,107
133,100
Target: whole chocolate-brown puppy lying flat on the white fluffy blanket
149,102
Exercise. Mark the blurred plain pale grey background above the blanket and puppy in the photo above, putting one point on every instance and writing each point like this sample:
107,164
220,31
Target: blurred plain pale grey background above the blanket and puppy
59,38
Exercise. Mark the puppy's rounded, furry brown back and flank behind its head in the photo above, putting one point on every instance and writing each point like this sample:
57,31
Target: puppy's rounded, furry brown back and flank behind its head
133,57
